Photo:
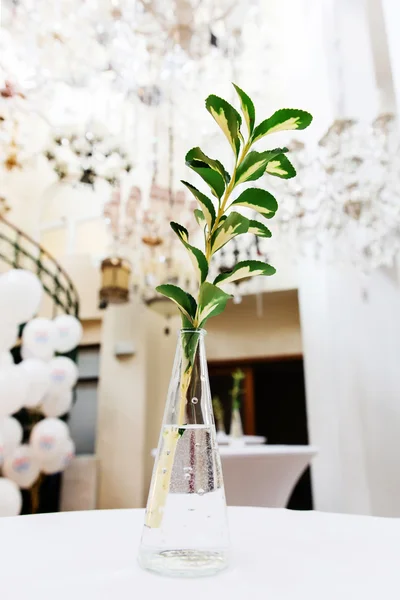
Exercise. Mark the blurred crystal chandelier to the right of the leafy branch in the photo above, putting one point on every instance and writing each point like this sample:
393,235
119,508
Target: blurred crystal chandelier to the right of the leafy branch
345,203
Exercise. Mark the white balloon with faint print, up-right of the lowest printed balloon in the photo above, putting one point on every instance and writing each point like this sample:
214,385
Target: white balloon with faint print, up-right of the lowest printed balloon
48,438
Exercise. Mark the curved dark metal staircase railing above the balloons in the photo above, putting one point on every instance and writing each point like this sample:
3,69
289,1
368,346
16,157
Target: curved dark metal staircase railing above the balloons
20,251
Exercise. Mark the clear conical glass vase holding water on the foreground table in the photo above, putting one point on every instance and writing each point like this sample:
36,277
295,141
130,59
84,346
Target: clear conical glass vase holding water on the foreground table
186,530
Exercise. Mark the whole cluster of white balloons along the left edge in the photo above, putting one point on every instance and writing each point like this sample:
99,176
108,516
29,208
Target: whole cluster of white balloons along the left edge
43,381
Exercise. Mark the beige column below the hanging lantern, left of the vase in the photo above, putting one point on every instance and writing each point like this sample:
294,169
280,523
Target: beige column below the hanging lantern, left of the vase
122,410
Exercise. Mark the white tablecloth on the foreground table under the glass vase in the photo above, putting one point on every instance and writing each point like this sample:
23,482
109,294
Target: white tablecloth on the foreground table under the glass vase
277,555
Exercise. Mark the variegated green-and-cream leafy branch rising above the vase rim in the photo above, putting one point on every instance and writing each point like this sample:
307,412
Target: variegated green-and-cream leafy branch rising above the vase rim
218,215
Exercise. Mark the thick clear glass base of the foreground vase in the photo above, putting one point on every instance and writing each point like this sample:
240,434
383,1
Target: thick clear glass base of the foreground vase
183,563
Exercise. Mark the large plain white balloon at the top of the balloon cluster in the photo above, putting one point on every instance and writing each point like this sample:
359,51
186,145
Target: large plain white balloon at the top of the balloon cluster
20,295
